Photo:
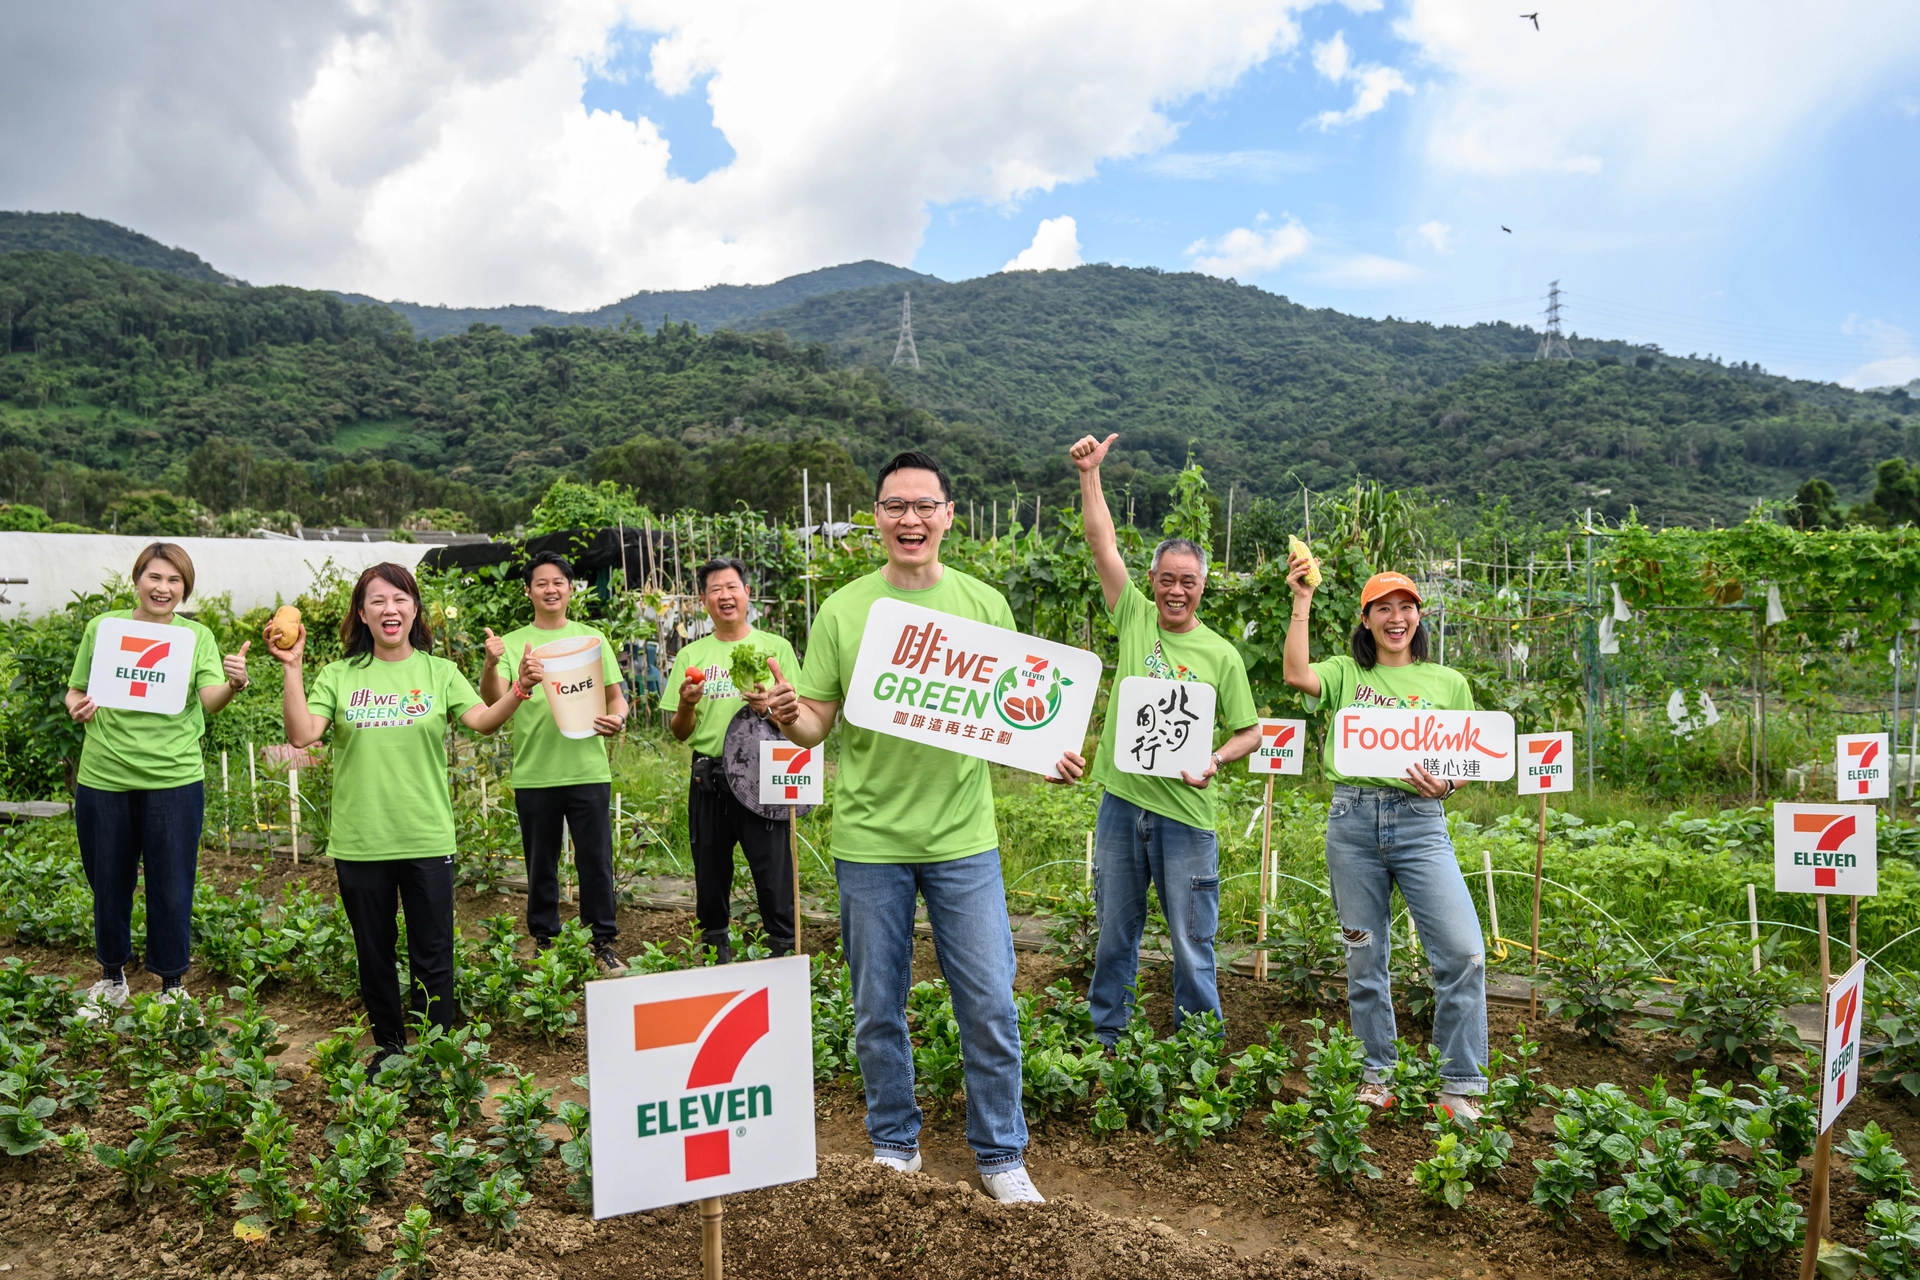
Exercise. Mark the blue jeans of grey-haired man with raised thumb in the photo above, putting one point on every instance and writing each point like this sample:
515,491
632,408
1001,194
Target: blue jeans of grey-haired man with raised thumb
1136,847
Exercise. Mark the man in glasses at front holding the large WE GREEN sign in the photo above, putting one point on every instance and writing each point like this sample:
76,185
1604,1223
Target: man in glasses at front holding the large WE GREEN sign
919,820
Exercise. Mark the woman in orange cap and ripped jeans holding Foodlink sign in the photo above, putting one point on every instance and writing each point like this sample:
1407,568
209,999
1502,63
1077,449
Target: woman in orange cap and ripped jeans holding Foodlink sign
1385,832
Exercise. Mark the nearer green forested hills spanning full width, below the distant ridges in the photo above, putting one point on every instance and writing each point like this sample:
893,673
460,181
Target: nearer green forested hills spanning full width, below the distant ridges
118,379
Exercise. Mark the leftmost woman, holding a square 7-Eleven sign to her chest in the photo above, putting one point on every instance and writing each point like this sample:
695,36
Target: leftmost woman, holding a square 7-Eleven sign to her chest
139,797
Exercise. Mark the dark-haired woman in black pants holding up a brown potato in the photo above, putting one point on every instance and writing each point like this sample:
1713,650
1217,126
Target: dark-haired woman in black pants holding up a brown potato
393,820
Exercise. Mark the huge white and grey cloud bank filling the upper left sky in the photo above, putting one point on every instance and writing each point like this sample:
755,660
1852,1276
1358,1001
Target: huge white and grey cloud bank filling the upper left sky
439,151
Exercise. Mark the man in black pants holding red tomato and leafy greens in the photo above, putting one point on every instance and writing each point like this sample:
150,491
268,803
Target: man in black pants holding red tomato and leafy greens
717,820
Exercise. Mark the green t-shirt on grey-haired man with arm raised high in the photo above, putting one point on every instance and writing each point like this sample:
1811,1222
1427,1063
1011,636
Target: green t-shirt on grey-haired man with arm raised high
1201,655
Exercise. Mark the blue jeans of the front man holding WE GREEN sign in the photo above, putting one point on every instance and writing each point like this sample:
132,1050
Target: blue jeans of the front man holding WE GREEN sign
974,943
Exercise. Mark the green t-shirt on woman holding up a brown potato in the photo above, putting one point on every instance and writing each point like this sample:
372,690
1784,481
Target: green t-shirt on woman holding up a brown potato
391,753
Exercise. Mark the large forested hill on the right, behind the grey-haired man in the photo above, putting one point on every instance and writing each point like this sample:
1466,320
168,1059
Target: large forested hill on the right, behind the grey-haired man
1272,396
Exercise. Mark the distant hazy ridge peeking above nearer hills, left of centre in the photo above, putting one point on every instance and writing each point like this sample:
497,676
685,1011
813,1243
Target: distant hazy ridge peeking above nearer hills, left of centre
719,306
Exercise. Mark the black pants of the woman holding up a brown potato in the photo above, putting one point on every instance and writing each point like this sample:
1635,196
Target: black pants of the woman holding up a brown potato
370,891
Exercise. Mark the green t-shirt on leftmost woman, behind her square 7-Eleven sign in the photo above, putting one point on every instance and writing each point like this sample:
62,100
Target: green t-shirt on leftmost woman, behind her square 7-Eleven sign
141,751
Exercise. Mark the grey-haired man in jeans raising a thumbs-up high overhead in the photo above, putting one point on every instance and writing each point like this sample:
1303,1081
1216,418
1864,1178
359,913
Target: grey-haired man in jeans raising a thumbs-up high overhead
1159,830
